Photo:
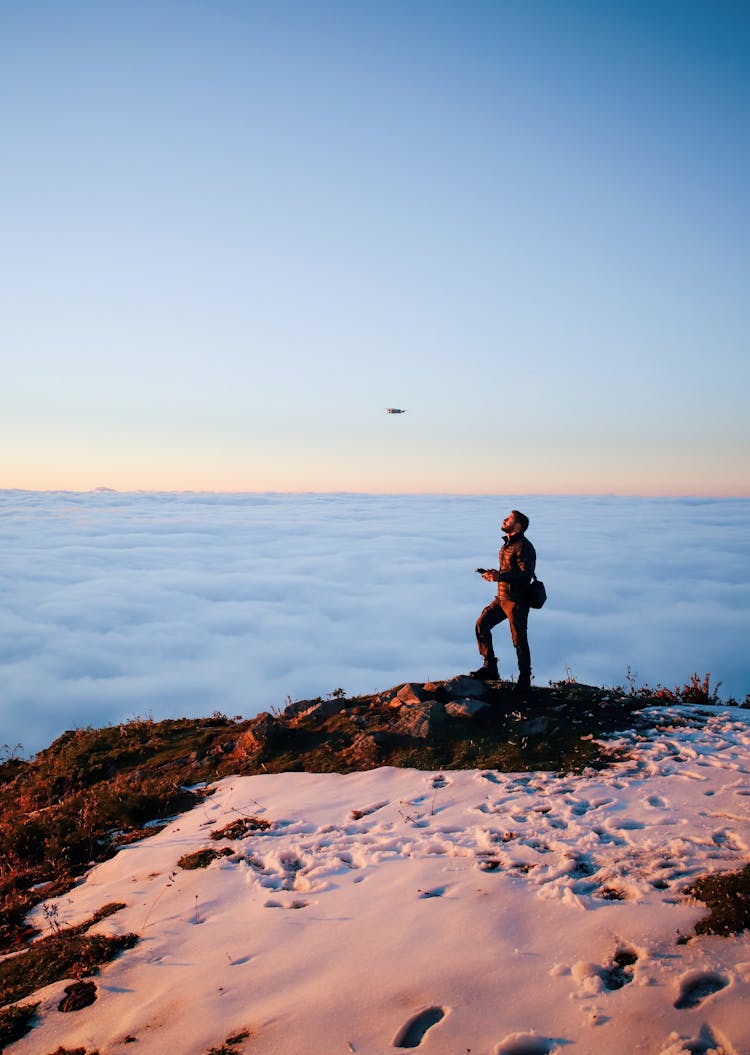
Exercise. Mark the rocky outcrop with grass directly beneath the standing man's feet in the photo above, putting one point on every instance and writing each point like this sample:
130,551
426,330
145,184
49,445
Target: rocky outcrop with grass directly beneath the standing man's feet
461,721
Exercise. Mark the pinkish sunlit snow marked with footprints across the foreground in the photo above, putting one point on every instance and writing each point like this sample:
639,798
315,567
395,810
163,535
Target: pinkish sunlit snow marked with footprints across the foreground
464,912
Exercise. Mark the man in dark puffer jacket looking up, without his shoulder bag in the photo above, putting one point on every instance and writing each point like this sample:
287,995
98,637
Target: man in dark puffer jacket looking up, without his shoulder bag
517,563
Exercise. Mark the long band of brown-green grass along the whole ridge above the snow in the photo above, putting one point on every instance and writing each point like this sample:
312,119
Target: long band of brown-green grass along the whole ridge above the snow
94,791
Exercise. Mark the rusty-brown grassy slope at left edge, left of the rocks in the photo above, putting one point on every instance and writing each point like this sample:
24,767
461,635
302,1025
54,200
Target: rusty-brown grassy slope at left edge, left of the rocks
87,795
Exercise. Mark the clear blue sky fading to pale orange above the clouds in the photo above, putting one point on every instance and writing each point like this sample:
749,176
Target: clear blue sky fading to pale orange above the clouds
235,233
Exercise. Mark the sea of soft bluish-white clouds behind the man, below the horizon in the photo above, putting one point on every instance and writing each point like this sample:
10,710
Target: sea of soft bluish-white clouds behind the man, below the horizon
116,606
